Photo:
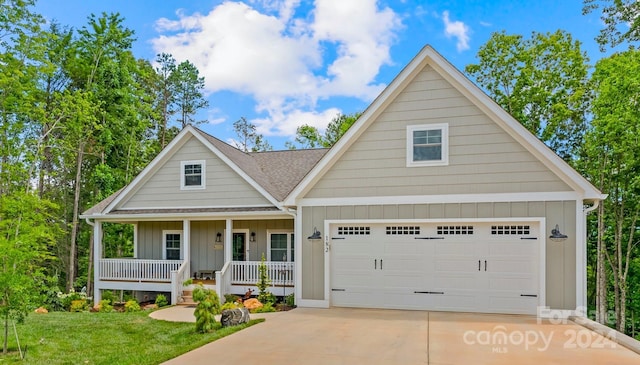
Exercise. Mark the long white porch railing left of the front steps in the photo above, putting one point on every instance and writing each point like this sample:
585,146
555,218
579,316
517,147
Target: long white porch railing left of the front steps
129,269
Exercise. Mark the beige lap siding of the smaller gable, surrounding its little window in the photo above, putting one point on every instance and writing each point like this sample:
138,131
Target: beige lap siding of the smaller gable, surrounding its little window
224,187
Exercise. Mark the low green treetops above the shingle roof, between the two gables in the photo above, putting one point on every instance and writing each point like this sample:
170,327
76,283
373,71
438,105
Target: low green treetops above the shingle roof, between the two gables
309,136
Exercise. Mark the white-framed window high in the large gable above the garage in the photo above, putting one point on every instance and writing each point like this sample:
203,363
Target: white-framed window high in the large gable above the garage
428,145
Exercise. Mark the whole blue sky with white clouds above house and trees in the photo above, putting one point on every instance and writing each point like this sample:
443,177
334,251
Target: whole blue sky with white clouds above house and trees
284,63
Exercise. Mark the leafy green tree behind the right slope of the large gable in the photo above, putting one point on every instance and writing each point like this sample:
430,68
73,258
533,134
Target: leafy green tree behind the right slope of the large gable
542,82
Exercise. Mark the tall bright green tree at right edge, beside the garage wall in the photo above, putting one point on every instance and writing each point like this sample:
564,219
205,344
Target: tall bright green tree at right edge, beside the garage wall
611,159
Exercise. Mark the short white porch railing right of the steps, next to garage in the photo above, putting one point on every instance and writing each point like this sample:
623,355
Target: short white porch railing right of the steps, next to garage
246,272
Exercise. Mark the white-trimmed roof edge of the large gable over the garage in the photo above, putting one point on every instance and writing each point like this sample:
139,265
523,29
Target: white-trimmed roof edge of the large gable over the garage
428,56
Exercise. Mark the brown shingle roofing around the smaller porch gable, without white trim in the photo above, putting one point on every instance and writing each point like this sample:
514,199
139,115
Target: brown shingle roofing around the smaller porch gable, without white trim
277,172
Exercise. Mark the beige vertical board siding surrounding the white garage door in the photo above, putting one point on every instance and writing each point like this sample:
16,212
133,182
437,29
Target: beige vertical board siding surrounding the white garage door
560,257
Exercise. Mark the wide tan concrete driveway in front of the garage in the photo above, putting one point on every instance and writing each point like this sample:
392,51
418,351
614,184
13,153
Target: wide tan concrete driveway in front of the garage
369,336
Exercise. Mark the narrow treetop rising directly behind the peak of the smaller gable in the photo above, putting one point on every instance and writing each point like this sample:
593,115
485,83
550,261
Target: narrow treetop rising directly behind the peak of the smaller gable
188,89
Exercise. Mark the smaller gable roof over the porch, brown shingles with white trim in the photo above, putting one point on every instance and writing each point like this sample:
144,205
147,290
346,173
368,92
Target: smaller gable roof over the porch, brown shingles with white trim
274,173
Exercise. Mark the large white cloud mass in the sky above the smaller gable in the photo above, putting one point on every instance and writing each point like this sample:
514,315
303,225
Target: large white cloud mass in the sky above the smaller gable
281,58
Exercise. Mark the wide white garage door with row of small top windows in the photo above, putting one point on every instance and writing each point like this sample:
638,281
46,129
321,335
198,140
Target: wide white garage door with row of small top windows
488,267
